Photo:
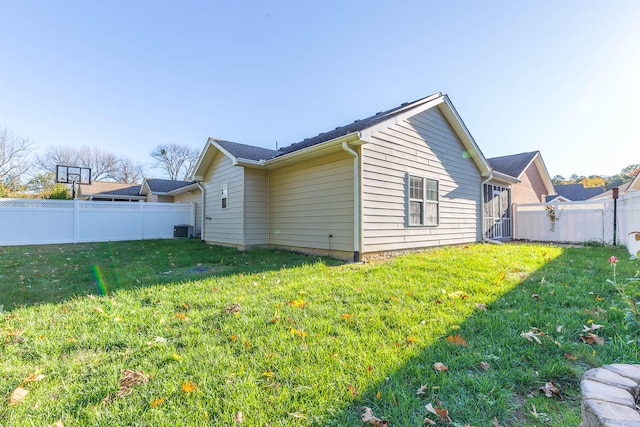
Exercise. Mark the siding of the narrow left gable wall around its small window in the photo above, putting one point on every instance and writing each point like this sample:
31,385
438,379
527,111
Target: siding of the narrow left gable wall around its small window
225,225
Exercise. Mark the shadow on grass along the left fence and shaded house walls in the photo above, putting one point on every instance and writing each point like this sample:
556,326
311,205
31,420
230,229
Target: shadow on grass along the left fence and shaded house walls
31,275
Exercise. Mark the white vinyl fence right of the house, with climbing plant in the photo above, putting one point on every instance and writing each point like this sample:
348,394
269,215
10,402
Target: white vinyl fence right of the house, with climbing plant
579,222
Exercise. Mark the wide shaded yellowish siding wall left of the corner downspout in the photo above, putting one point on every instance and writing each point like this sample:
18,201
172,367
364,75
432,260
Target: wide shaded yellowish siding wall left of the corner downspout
311,200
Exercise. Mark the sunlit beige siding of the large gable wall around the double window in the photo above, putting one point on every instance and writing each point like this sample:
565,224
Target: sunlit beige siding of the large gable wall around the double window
424,145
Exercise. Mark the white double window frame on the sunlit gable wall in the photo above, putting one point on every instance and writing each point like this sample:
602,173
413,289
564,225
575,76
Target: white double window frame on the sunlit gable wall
423,197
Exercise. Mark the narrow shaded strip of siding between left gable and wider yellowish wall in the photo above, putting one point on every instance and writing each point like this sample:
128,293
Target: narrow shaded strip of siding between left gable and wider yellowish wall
256,221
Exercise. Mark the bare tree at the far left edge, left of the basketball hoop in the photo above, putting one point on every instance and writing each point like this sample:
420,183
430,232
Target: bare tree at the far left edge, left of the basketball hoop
14,158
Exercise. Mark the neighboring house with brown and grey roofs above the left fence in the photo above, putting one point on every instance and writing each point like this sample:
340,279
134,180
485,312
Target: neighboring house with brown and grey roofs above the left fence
151,190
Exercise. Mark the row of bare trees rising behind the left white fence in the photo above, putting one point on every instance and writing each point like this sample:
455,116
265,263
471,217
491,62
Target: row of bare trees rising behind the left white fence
25,174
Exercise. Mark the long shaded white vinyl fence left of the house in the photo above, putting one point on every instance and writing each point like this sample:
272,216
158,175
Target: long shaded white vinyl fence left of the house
28,221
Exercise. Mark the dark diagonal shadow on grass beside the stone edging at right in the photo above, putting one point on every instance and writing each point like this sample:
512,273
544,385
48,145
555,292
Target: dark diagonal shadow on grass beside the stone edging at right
495,371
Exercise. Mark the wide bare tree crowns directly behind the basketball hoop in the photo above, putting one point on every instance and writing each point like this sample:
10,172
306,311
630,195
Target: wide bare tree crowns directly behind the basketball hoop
104,166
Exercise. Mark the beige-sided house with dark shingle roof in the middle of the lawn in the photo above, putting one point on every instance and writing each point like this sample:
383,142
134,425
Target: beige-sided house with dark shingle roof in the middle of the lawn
404,179
